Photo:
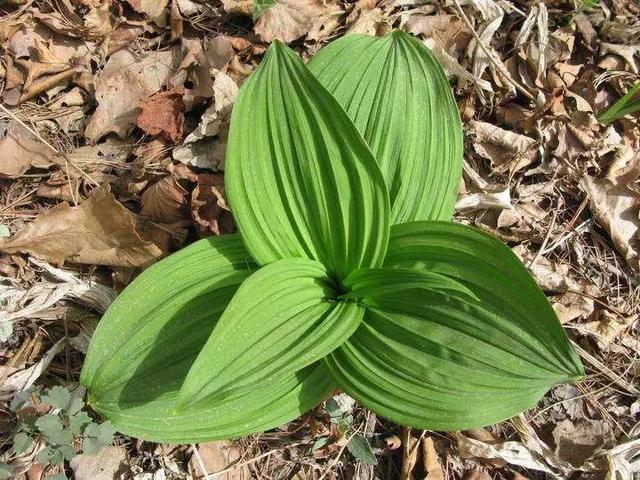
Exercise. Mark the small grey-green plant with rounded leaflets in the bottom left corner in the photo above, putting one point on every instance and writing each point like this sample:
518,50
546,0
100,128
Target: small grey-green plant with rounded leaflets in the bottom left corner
61,429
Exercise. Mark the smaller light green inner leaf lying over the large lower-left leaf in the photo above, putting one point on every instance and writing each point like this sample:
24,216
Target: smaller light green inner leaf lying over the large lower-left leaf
282,319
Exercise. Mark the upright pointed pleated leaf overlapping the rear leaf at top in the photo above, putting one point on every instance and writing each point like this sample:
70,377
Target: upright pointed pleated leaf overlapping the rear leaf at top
300,179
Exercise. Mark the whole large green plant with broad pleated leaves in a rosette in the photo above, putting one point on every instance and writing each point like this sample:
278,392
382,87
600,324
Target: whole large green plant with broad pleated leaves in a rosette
347,273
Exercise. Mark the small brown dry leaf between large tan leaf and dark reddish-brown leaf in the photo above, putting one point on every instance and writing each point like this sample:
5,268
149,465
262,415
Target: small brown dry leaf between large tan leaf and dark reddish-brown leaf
165,201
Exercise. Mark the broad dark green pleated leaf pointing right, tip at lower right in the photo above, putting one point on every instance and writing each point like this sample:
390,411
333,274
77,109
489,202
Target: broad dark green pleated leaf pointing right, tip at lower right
457,354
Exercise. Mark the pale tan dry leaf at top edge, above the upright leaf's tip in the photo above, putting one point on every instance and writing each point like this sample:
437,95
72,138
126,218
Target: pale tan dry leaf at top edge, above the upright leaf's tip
289,20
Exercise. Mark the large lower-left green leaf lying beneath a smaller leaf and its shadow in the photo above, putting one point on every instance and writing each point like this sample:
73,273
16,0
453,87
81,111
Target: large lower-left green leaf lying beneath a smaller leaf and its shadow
147,341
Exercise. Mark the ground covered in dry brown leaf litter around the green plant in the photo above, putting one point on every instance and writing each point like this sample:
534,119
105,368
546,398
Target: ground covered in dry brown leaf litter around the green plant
113,127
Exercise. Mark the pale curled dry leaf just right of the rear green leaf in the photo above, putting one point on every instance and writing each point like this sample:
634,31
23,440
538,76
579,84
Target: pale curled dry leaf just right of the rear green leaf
507,151
